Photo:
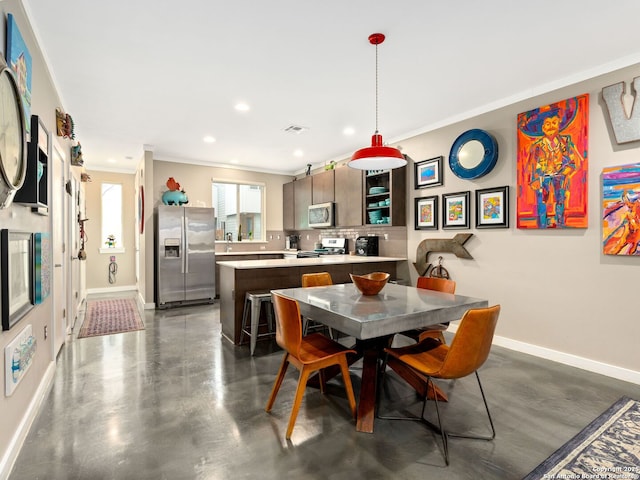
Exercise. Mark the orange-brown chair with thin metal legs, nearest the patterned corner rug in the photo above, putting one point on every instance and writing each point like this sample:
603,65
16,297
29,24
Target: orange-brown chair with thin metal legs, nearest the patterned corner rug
430,359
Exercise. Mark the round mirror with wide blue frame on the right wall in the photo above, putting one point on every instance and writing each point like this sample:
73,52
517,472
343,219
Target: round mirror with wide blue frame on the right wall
473,154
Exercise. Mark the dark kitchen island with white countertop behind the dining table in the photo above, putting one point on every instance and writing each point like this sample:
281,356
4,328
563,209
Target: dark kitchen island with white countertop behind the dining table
241,276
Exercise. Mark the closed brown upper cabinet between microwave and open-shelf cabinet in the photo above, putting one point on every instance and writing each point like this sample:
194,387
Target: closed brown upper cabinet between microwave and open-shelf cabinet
348,197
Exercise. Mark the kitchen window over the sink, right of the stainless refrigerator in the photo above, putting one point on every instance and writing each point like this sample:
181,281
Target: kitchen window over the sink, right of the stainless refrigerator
239,211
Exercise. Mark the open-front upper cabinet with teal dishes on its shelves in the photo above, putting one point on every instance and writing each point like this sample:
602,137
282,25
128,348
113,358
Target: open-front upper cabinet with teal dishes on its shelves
385,197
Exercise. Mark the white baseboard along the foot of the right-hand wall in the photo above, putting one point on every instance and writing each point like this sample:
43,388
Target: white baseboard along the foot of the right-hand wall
594,366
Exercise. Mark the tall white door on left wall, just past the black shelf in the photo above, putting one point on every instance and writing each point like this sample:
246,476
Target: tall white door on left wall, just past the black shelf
59,230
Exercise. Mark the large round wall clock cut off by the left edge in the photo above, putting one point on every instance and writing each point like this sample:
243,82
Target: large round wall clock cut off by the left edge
13,165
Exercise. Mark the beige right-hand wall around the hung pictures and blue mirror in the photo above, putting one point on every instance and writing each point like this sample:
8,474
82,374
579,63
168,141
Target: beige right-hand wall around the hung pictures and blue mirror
557,290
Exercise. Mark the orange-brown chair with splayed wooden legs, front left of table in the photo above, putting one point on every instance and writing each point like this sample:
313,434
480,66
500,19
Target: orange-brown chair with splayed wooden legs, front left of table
308,354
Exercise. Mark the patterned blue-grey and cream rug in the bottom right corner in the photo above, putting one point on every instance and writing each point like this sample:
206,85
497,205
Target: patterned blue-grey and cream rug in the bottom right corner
609,447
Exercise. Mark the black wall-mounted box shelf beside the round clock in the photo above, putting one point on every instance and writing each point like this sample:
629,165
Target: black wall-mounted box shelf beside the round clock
35,189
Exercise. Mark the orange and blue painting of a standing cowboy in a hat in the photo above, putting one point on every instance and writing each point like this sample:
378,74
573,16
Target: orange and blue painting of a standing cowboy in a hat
552,165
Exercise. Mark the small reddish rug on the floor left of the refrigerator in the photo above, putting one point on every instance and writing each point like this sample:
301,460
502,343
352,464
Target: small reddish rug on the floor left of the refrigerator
105,317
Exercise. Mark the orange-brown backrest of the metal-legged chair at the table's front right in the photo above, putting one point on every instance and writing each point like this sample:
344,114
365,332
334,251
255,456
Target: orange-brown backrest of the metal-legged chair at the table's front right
471,344
